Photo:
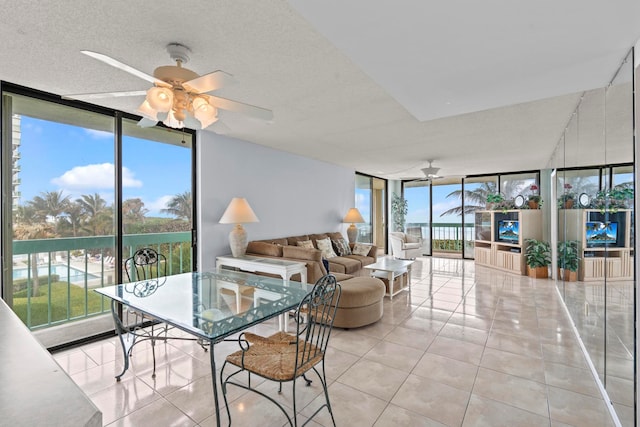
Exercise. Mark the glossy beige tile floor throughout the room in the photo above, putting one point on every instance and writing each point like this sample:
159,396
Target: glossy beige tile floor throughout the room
466,347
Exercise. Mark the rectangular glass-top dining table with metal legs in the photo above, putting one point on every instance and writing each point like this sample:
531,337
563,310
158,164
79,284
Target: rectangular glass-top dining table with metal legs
196,303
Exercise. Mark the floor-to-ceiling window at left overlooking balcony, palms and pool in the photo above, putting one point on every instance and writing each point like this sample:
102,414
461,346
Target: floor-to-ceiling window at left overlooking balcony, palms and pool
66,170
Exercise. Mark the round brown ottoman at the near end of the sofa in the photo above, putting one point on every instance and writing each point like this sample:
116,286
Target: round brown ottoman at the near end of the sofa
360,302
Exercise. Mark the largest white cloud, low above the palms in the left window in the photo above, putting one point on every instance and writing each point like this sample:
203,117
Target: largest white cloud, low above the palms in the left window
94,176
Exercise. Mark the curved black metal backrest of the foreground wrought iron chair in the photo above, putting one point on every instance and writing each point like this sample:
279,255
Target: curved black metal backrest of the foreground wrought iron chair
315,315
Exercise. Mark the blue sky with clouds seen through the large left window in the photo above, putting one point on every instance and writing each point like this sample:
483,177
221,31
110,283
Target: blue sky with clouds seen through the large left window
76,160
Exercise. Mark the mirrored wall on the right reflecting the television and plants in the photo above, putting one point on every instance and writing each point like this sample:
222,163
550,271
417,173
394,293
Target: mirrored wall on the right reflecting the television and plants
594,186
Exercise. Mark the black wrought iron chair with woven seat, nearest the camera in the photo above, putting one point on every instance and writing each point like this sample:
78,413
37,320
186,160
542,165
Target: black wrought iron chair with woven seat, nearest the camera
283,357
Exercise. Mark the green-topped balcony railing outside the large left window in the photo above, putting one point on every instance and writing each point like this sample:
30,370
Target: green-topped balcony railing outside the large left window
53,279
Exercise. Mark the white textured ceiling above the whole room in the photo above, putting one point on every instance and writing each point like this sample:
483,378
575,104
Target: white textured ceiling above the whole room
380,87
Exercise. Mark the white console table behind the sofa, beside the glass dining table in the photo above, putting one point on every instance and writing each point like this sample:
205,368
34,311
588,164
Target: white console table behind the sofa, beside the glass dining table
283,268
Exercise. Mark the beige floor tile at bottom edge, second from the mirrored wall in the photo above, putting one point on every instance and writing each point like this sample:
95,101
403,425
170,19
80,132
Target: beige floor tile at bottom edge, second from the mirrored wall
483,412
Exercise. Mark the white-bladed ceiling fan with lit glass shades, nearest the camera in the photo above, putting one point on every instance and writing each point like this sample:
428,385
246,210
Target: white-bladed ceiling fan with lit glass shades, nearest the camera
179,97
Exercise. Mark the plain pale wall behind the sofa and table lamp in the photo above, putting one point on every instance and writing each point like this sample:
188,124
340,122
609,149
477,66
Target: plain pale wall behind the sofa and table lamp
290,194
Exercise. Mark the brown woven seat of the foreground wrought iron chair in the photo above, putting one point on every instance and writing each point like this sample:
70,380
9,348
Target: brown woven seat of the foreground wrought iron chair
274,357
